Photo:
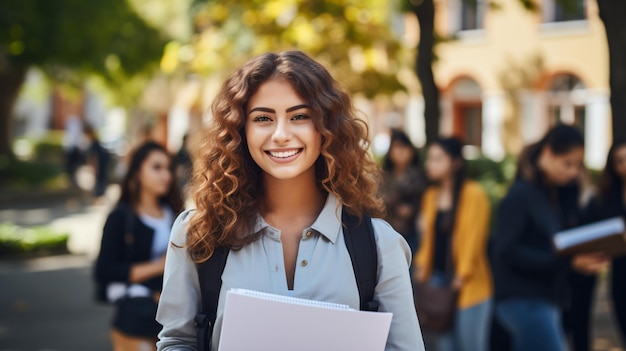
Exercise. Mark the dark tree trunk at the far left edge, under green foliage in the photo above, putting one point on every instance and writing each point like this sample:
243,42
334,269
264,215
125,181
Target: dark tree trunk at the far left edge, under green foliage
11,80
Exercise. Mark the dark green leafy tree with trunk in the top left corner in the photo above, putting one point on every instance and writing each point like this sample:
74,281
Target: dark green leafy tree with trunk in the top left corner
70,38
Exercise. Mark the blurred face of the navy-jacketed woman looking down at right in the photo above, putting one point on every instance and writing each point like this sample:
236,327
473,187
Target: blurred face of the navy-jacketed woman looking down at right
561,169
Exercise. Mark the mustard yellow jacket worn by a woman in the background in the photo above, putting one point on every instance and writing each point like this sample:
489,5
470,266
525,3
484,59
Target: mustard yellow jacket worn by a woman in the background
469,242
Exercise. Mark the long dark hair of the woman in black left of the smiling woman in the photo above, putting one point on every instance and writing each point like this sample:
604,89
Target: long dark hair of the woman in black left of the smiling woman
131,189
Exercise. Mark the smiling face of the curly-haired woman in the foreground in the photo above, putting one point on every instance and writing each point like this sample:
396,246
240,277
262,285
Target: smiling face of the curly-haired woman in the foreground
282,138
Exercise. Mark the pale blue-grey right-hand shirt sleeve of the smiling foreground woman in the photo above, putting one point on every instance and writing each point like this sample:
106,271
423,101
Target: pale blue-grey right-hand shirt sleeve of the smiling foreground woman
393,290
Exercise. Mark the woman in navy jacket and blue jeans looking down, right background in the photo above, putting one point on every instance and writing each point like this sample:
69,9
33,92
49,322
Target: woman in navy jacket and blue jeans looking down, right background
530,279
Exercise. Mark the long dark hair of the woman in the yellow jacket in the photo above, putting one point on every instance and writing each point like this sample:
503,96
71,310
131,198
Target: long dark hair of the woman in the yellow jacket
454,149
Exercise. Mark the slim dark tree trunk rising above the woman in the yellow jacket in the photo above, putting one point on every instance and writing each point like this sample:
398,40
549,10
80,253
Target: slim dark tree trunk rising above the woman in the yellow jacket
425,12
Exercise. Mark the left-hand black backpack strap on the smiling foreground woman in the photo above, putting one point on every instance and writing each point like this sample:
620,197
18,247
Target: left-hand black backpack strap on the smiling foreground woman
210,278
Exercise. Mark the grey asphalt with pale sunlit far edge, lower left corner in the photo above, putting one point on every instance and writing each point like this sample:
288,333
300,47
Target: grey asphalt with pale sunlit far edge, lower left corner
46,304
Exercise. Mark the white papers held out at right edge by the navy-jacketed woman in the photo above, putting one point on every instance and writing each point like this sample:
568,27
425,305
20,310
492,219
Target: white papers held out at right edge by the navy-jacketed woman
589,232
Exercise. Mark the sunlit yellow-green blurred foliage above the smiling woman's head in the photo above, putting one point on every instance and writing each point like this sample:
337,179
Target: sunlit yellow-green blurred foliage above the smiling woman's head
353,38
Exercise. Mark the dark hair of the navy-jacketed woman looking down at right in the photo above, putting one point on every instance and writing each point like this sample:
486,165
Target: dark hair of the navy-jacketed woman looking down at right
561,139
